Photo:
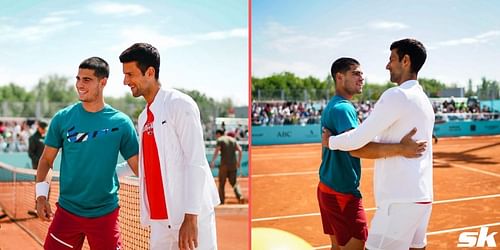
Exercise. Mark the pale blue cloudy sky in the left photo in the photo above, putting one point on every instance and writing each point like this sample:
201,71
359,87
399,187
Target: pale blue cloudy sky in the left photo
203,44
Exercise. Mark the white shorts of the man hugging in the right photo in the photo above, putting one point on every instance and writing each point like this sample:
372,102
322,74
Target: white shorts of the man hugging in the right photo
398,226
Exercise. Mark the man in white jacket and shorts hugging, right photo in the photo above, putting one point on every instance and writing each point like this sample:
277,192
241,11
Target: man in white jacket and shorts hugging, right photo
402,186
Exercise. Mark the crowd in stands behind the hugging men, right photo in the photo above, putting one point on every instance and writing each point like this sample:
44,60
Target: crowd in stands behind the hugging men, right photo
302,113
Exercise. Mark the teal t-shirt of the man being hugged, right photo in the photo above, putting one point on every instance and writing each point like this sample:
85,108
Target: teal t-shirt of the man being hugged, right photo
339,170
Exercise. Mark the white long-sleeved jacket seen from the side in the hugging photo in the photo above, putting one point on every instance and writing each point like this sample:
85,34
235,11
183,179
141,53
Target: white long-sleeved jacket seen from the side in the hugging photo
399,109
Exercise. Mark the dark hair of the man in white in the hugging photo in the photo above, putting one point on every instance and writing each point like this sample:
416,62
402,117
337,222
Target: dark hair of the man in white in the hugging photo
414,49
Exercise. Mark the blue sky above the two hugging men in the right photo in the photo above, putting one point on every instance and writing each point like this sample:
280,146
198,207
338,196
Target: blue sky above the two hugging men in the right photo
304,37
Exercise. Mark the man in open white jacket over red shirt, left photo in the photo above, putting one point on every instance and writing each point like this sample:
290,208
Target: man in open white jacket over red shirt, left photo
177,190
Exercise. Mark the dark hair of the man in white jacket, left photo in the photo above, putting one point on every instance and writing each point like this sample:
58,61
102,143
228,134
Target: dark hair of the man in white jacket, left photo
145,55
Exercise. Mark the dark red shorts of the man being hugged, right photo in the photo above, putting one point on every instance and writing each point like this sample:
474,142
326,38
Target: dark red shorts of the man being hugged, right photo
342,215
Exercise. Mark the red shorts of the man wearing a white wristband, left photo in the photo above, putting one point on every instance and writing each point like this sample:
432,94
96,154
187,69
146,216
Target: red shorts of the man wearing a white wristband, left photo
67,231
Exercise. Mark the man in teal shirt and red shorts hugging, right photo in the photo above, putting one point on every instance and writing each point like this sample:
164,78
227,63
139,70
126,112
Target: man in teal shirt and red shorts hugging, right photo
339,198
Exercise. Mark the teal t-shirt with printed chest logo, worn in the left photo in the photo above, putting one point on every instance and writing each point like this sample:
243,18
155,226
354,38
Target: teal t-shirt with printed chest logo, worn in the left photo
90,144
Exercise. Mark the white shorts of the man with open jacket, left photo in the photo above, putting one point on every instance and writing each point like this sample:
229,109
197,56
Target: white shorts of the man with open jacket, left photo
165,238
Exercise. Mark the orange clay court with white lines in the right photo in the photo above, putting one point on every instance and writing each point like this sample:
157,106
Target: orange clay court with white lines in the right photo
466,190
